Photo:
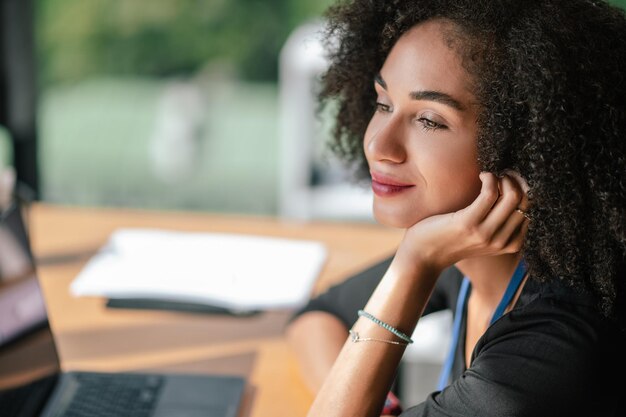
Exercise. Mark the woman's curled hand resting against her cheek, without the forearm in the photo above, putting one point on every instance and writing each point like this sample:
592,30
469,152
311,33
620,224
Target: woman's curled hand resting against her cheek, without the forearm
491,225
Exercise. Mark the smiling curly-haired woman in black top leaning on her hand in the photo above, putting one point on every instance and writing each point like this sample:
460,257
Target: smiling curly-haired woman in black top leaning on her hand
493,132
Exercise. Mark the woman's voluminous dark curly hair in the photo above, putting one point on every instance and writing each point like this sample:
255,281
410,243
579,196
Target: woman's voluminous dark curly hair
550,78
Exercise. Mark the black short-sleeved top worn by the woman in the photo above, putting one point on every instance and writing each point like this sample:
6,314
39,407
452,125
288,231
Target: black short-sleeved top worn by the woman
553,354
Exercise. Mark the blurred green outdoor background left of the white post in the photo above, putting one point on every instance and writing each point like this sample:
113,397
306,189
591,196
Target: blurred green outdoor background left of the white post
118,76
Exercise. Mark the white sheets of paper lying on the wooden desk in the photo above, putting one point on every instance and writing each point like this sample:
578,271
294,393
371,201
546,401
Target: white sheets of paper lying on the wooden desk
225,270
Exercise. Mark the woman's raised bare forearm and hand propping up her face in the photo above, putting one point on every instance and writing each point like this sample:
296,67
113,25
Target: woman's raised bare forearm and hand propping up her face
363,373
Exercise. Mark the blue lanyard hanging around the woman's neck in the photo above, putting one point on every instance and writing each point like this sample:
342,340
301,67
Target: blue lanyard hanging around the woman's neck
509,293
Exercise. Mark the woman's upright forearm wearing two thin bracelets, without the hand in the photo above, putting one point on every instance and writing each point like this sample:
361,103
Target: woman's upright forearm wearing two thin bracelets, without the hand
364,371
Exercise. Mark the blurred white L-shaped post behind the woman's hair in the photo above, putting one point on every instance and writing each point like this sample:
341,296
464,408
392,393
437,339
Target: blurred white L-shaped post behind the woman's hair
302,61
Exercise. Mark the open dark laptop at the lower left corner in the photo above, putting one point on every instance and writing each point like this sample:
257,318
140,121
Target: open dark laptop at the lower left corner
32,383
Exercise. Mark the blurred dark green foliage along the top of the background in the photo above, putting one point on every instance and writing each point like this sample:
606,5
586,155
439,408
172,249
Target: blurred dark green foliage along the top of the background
78,38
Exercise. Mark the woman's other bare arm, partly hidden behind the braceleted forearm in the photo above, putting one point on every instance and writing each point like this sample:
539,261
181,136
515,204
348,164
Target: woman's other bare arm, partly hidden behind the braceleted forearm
316,338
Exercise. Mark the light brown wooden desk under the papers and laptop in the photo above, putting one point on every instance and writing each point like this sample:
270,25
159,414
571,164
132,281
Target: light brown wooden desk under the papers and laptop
92,337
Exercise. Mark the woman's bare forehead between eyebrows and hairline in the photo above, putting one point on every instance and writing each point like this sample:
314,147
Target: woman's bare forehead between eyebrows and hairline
423,59
